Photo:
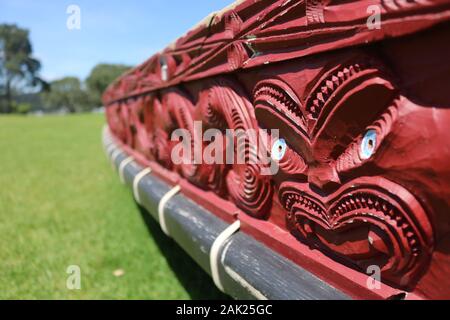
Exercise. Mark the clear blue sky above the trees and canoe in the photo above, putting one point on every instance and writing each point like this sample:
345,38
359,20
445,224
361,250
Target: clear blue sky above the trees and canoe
112,31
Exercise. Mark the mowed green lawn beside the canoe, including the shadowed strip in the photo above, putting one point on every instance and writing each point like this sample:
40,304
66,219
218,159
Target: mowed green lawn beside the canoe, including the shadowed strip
61,204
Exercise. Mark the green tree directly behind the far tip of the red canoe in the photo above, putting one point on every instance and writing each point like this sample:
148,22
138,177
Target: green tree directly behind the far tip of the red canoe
101,76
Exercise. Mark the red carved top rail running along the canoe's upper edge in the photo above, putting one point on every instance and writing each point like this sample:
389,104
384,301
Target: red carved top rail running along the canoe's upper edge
246,35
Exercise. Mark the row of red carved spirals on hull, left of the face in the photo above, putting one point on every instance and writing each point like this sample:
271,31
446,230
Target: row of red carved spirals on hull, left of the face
147,123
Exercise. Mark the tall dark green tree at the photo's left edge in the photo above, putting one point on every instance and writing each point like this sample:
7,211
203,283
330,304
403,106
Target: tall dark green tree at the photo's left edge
18,69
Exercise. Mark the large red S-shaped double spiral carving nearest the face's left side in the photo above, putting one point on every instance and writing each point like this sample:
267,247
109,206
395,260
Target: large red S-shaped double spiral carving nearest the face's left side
225,107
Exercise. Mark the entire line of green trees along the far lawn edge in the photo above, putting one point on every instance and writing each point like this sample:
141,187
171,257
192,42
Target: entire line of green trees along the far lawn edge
22,90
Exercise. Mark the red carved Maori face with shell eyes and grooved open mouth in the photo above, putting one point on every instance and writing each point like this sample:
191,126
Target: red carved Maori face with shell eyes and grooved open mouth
351,181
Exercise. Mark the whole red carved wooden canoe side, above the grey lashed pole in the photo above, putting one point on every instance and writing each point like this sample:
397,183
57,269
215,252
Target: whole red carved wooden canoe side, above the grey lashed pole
363,155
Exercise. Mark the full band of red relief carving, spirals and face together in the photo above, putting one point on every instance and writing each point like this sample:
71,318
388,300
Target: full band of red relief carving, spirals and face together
360,219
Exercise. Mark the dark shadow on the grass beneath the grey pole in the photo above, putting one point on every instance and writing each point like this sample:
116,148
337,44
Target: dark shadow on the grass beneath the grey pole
196,282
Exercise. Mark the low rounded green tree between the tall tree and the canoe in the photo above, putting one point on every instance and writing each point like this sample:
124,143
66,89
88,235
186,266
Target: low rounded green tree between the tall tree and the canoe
66,93
